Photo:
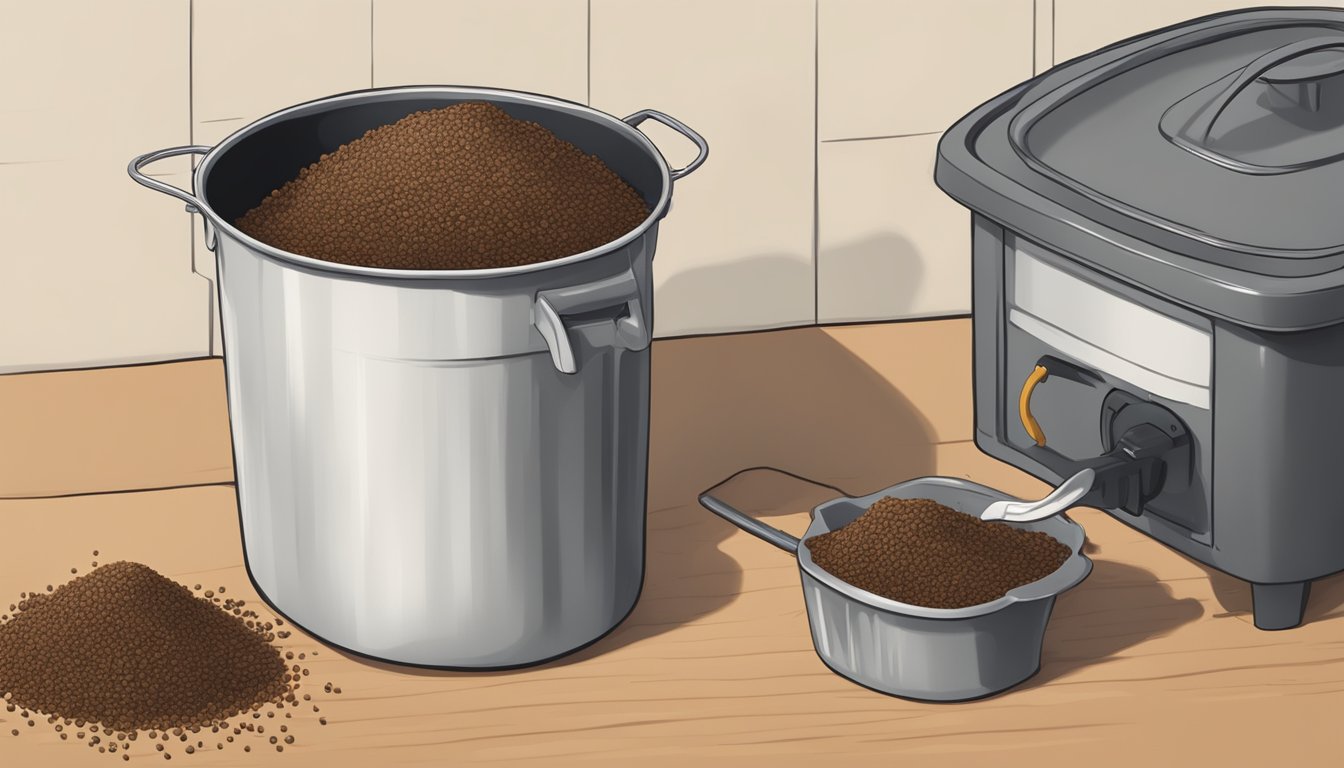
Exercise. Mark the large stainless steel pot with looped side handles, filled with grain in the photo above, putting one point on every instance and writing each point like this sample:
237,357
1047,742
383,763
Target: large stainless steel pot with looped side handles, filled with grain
436,467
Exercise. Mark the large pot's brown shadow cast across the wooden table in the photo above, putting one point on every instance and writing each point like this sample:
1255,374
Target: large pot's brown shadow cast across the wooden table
796,400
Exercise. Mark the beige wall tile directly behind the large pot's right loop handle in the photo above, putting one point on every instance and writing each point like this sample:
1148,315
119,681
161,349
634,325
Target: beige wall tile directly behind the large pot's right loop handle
736,252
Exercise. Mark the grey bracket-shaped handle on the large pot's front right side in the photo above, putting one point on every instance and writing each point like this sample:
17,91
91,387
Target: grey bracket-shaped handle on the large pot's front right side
610,313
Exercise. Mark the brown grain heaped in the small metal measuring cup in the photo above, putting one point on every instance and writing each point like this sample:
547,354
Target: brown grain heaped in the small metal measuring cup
923,553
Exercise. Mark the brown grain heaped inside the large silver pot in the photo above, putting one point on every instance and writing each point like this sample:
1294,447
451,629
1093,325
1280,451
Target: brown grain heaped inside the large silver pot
459,188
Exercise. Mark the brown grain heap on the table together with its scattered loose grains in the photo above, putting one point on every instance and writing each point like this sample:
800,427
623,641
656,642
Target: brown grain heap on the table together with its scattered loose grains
123,653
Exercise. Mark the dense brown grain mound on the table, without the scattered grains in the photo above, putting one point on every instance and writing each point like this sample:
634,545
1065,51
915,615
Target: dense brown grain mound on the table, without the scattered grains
97,650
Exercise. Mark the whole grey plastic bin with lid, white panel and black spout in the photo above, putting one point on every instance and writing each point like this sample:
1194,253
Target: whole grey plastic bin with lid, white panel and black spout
1161,225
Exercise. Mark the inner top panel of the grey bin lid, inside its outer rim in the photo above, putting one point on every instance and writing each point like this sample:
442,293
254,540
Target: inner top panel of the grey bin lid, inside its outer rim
1233,132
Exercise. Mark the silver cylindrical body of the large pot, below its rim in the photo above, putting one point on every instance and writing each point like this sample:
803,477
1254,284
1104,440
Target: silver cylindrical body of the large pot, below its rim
409,496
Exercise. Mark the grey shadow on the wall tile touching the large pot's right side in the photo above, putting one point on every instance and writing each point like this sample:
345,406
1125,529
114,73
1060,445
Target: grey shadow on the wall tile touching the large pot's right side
772,290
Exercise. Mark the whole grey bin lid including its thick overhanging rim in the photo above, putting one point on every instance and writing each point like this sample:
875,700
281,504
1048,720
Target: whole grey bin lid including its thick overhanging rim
1216,147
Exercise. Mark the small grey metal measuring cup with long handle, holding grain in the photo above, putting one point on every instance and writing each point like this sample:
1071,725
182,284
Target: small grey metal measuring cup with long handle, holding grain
929,654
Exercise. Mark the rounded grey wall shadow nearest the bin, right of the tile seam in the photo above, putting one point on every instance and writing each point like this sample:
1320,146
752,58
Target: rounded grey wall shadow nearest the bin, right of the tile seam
880,276
